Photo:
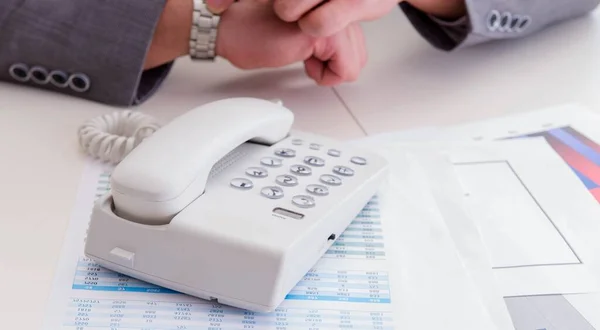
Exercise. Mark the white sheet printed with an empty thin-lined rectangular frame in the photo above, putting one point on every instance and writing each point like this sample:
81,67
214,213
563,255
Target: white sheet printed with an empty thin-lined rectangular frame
558,215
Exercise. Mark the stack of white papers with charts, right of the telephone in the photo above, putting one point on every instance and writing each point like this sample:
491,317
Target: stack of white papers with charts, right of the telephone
520,197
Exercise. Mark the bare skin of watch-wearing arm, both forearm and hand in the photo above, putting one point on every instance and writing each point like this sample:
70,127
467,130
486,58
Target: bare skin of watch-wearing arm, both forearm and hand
251,36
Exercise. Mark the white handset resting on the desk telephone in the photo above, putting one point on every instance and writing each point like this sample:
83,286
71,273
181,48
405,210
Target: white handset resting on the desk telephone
178,158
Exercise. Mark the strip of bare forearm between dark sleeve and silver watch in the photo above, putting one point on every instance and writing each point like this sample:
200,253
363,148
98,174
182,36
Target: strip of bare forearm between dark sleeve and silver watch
171,37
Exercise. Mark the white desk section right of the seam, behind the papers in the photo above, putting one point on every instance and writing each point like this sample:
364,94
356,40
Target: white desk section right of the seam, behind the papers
408,84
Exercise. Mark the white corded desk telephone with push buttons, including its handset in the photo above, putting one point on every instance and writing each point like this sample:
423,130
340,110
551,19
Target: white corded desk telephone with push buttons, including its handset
225,203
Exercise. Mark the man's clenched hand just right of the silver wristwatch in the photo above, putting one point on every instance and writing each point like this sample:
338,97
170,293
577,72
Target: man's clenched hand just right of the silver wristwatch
252,36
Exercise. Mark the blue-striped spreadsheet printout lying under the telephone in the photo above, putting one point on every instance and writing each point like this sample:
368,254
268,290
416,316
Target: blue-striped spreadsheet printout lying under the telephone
348,288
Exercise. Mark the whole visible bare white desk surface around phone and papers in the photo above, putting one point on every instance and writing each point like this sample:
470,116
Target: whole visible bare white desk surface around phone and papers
407,84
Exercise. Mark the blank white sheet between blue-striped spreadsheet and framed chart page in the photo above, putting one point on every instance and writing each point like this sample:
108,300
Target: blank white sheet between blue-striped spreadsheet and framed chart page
437,289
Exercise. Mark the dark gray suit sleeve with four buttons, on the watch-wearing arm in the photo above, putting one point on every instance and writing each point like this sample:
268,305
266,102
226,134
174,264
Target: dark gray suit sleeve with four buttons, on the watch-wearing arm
92,49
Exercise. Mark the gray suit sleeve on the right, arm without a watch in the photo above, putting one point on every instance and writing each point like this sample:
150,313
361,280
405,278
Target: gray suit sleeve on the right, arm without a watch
488,20
